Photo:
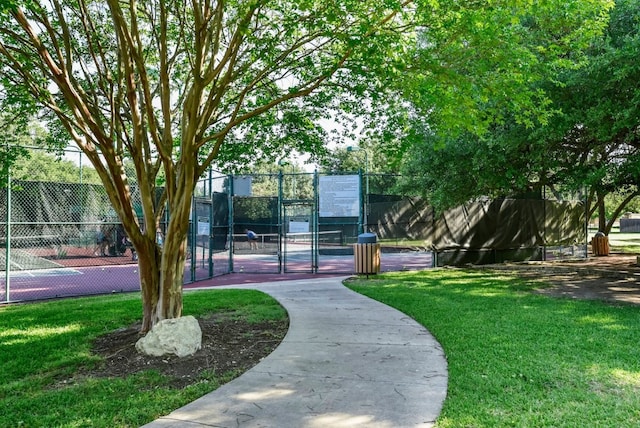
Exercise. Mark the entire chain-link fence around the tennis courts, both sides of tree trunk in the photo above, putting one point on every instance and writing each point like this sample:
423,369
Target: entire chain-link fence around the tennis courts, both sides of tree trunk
63,238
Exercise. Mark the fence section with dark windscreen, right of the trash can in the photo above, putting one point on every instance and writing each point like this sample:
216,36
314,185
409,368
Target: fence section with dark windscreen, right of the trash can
486,231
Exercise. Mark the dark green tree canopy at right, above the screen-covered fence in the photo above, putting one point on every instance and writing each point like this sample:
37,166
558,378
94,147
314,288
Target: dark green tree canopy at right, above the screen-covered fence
590,141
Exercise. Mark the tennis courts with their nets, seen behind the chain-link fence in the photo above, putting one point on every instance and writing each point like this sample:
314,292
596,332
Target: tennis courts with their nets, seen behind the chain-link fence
36,278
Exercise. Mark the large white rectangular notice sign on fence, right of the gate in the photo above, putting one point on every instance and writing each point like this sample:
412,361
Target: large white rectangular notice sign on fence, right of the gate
339,195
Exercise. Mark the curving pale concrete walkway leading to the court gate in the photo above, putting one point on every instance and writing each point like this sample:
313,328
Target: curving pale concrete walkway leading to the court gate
346,361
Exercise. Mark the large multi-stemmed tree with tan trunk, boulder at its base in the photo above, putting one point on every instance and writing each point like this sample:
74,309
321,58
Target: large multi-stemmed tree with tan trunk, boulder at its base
171,85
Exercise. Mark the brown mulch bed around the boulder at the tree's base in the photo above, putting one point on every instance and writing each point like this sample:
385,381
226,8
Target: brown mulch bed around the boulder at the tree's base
228,345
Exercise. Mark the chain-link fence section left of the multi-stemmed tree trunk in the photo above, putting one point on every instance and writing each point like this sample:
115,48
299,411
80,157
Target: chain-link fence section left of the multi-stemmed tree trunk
61,239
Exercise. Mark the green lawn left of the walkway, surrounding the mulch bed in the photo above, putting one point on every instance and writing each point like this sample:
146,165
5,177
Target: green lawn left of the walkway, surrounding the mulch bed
42,345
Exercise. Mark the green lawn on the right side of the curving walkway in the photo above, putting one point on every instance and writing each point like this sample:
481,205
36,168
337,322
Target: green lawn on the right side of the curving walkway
520,359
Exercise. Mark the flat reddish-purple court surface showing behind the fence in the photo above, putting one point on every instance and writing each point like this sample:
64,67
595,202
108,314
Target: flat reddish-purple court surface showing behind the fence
90,275
